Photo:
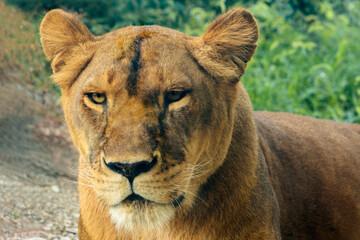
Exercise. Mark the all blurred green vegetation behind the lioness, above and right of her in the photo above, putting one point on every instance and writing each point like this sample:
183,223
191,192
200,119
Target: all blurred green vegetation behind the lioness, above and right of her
307,61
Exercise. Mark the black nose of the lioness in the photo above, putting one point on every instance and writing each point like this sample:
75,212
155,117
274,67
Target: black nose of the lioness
131,170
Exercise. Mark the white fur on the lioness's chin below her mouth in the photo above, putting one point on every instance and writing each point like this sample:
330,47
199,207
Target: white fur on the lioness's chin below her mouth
132,219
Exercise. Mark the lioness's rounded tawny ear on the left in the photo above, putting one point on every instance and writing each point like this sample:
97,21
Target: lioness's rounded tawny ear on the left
60,32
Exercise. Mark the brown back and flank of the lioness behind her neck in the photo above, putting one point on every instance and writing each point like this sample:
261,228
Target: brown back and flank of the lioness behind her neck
314,168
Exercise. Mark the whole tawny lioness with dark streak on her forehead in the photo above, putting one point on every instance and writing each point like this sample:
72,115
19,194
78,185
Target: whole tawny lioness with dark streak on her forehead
170,147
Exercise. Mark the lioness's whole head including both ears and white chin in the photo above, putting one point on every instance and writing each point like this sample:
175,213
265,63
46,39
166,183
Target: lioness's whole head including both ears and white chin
150,109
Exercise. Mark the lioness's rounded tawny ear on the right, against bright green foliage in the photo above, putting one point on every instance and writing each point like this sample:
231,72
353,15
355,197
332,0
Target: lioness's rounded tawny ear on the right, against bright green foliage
228,44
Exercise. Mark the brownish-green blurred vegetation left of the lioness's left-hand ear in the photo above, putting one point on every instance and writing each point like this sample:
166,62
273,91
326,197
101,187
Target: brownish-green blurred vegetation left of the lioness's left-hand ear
21,56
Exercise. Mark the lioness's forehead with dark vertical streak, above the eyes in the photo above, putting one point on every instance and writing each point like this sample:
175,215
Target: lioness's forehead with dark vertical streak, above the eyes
141,59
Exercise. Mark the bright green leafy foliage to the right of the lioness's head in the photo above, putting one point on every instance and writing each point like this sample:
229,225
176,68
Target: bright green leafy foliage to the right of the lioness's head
312,70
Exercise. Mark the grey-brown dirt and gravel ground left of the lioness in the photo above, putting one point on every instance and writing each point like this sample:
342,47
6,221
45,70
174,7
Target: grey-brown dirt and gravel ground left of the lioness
38,191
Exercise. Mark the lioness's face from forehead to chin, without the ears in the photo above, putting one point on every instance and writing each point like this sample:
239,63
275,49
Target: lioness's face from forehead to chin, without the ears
150,126
